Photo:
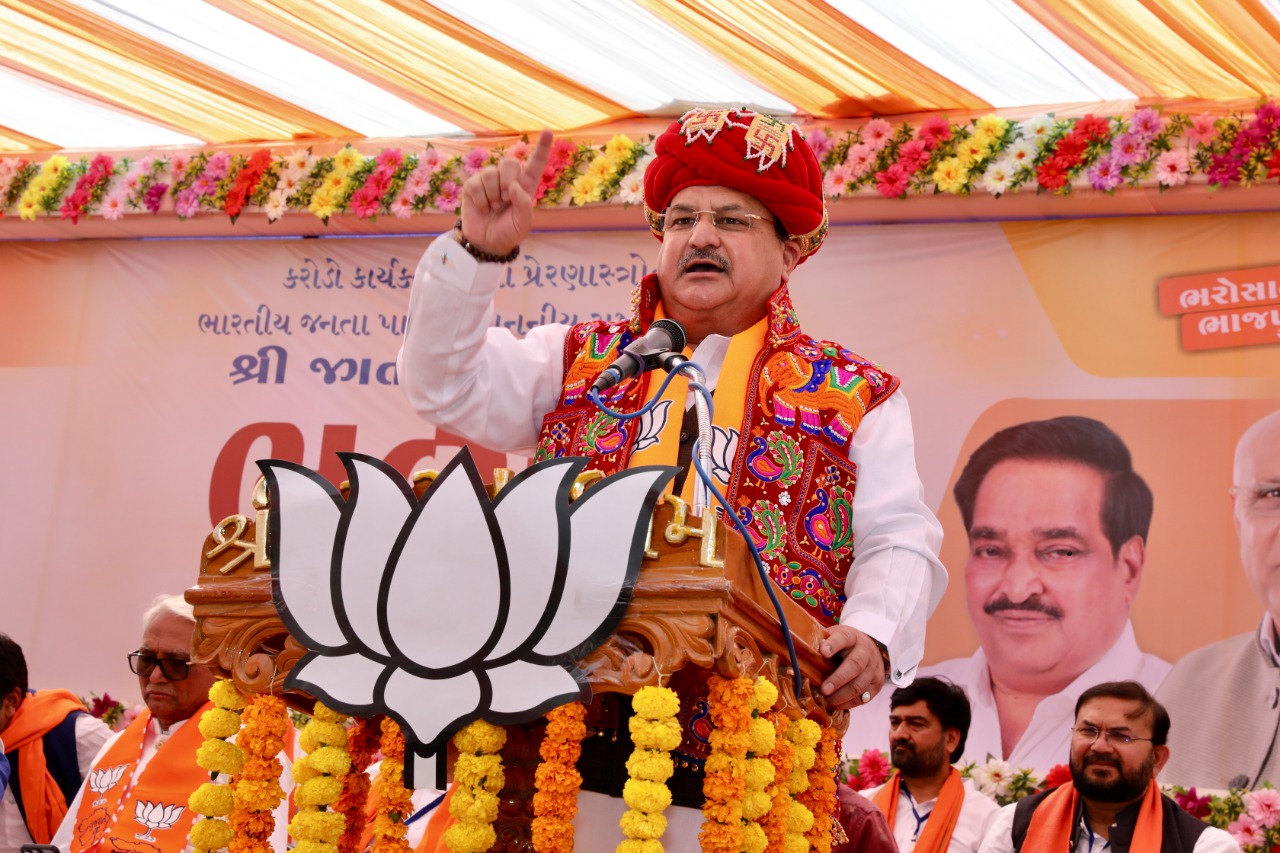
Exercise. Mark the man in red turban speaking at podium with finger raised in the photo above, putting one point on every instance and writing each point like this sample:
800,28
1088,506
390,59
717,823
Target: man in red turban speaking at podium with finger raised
799,425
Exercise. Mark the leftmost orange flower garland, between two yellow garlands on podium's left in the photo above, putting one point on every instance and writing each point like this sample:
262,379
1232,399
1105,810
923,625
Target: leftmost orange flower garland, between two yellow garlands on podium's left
258,791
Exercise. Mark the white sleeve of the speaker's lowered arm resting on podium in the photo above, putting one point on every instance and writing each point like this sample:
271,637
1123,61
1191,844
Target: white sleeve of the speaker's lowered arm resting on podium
897,580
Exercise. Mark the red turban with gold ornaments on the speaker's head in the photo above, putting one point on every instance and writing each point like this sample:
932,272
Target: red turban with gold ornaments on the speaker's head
756,154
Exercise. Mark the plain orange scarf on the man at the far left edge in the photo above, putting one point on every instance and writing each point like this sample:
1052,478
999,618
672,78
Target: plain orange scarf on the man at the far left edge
42,799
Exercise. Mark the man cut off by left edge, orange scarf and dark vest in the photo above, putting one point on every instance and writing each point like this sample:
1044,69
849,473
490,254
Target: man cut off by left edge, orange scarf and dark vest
49,741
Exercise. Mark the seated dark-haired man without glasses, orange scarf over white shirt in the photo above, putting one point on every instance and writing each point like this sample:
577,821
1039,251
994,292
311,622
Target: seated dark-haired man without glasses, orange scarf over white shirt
927,804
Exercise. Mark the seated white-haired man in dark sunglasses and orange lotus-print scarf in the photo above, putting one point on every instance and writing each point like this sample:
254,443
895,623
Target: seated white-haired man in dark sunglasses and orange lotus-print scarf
136,795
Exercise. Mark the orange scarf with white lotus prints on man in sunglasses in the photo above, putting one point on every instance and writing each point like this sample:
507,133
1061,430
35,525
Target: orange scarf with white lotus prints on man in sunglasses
120,808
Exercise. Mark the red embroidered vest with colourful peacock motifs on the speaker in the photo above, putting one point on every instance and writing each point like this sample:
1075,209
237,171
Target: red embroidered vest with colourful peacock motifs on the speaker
790,476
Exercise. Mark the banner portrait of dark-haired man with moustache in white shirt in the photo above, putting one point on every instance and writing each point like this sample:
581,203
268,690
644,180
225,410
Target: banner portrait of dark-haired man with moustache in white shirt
1058,523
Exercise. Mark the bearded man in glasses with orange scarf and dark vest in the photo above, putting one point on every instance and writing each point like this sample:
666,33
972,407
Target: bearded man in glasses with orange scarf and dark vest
1113,801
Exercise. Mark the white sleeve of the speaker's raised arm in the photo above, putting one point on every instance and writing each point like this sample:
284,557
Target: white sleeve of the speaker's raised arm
463,373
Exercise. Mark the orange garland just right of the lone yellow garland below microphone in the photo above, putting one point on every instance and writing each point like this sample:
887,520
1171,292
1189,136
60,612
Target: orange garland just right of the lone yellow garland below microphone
725,782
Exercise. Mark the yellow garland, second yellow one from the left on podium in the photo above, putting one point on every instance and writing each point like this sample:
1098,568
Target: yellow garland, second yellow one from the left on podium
319,777
